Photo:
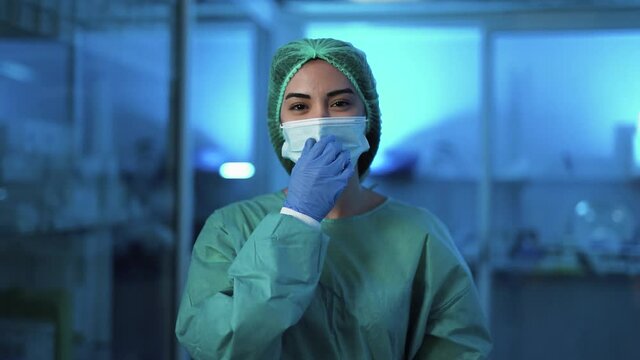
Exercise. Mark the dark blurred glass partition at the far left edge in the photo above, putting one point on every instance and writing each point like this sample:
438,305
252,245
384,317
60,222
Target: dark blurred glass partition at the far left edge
86,234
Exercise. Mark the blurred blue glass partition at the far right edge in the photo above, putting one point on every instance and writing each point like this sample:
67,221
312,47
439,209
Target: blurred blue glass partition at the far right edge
565,204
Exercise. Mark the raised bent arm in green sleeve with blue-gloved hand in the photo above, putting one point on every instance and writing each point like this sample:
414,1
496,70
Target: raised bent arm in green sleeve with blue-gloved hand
239,306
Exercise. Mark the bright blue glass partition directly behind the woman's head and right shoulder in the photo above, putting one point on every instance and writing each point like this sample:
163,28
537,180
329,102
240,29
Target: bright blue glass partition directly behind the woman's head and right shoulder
429,84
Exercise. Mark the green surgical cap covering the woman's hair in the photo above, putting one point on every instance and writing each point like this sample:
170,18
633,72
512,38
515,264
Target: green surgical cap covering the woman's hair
351,61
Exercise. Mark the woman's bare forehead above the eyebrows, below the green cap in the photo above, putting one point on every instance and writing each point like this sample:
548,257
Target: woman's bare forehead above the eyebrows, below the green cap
318,75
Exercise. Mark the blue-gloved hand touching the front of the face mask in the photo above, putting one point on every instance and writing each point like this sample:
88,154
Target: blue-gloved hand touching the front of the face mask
319,177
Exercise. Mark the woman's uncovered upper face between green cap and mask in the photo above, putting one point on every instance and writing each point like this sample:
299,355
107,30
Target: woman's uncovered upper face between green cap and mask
319,90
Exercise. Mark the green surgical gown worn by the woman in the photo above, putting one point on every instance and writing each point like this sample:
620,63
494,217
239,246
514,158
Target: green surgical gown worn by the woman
386,284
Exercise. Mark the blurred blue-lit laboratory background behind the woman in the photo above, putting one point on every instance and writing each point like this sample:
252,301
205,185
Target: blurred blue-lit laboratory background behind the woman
125,123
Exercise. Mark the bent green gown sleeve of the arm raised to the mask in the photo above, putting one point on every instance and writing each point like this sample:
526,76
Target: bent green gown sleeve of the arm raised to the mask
241,296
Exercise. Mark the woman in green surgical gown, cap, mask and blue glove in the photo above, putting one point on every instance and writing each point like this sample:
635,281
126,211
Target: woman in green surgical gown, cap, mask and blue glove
327,269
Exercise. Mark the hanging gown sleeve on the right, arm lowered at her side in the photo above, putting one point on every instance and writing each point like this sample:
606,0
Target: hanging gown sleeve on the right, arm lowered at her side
450,321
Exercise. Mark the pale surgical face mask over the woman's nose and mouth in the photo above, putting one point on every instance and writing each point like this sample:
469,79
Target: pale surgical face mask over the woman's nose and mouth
349,130
